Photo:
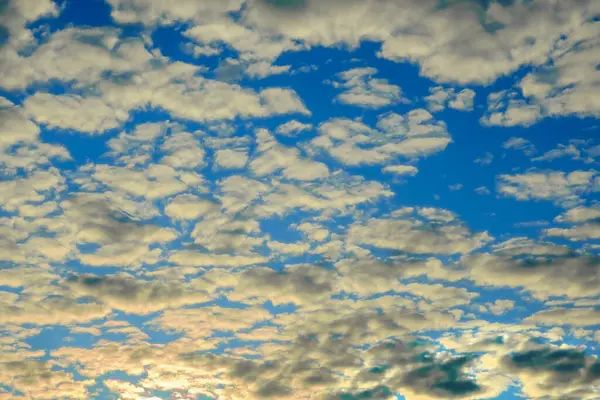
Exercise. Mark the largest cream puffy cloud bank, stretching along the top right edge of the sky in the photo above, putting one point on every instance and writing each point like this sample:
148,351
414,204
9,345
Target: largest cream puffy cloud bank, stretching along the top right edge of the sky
419,31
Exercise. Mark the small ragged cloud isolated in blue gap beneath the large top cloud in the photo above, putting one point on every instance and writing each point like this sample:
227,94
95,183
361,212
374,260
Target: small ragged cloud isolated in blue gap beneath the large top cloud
362,90
